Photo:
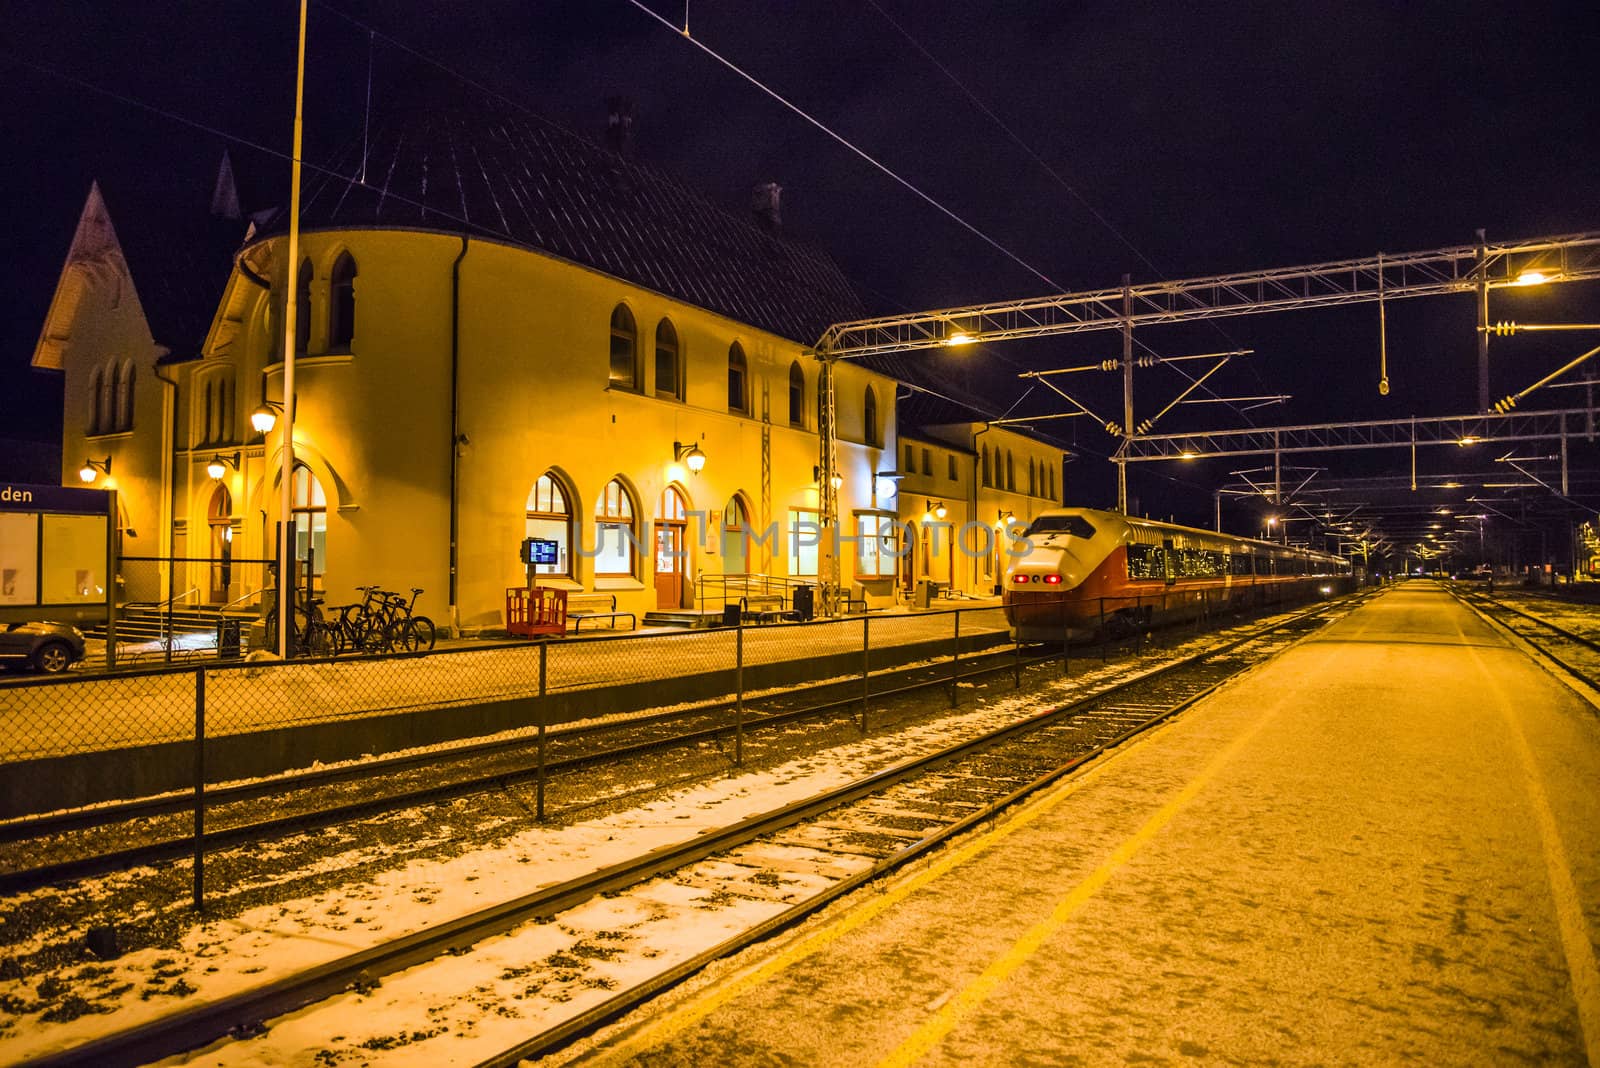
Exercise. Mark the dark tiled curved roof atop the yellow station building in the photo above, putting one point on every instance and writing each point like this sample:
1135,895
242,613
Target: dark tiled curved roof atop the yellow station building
534,185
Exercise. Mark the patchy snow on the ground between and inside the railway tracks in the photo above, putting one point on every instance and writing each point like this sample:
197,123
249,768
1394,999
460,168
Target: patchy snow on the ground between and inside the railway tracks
231,955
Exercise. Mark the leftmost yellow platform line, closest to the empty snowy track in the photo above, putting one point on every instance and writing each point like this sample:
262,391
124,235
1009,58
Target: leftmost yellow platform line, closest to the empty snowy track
682,1019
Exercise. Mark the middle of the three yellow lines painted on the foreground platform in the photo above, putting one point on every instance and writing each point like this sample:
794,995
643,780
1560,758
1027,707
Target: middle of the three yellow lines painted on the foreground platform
945,1021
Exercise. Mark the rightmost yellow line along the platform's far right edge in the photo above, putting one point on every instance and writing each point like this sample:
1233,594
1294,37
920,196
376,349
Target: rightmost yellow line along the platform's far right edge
1564,890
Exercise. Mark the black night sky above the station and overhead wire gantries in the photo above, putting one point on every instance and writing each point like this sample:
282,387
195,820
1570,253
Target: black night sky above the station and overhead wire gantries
1158,140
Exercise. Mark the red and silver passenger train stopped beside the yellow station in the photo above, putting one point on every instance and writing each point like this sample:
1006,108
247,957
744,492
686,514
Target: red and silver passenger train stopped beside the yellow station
1079,572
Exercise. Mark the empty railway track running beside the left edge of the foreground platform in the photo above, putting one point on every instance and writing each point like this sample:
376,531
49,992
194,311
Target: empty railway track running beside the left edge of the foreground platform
799,856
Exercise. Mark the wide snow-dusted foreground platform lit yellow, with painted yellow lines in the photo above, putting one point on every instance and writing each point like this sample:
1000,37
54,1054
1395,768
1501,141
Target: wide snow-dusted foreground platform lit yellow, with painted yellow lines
1383,847
